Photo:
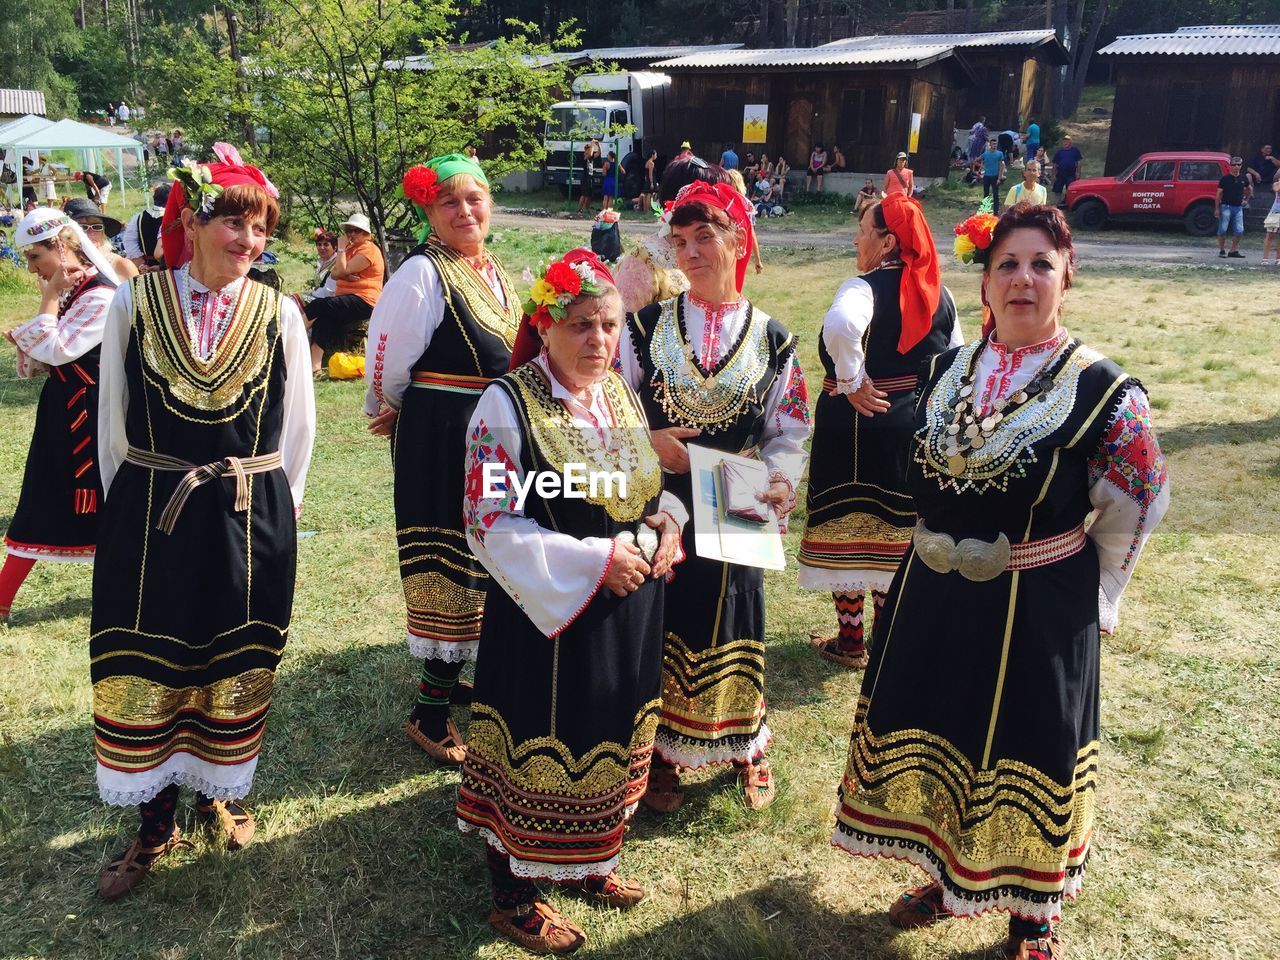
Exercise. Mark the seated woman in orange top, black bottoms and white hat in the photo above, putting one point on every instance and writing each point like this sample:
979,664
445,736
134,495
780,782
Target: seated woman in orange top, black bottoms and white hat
339,322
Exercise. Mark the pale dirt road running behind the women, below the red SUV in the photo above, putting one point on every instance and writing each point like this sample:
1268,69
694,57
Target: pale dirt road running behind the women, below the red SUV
1089,250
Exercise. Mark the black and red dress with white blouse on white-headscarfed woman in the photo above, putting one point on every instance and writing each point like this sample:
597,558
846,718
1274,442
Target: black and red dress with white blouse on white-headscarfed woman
58,509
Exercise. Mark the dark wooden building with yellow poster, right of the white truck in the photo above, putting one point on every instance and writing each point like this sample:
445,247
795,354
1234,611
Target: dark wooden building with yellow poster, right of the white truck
861,99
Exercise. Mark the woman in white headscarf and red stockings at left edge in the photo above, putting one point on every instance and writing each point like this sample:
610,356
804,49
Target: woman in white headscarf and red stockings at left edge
57,513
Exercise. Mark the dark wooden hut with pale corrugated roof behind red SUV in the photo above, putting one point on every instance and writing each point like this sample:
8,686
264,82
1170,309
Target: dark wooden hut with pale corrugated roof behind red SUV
1199,89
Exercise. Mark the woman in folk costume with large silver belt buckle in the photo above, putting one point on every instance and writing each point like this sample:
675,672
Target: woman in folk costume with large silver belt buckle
975,752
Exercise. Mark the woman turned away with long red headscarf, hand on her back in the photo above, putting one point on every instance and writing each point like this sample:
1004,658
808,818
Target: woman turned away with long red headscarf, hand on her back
880,330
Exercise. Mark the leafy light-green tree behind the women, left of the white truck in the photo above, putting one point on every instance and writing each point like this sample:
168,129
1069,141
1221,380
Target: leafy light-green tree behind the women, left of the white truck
341,117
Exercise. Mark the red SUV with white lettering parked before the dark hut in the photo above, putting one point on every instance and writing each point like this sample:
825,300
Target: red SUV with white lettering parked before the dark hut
1160,185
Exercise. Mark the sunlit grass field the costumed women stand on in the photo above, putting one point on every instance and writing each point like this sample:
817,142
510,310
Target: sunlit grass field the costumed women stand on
358,854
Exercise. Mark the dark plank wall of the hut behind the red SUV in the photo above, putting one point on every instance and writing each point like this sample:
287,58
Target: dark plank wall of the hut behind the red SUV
1194,103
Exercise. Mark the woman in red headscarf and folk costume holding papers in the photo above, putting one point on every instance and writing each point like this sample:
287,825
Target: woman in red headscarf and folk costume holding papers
712,368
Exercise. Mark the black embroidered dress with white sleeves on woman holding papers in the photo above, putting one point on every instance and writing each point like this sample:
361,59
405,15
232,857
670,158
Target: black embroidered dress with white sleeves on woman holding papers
751,400
